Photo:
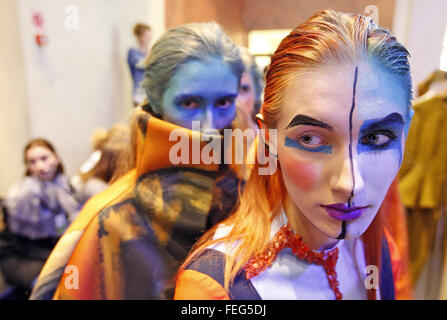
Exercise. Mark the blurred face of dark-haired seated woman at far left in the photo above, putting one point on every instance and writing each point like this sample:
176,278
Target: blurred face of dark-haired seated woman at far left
42,162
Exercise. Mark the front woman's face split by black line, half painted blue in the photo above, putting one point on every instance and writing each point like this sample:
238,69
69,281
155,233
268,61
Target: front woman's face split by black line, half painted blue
341,136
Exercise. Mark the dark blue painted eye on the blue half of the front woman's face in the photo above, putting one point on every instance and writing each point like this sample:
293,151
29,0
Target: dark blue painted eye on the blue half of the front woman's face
382,134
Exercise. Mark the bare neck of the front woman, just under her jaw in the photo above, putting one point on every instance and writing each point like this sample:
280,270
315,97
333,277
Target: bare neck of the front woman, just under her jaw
312,236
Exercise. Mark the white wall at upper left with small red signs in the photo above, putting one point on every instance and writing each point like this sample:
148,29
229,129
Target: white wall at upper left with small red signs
80,80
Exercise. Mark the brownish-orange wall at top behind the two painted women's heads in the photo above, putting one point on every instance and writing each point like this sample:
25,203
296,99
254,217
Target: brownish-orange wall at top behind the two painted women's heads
237,17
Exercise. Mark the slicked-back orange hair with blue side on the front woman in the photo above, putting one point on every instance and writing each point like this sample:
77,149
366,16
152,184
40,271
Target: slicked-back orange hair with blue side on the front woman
326,37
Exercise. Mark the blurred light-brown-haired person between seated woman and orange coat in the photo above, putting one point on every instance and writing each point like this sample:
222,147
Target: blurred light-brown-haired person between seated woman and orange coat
99,170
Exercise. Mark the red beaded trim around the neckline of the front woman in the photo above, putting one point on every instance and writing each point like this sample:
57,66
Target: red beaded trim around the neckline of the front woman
286,238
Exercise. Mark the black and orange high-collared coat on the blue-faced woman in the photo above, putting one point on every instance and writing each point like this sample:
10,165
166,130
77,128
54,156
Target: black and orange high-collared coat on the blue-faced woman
129,240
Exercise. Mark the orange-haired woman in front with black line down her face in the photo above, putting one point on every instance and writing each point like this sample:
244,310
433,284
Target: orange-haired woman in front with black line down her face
338,96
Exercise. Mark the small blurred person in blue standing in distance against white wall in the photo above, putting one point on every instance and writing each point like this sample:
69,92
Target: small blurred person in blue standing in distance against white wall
135,57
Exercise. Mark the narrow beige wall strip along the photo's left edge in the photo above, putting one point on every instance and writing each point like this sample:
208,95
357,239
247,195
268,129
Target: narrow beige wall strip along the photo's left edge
13,97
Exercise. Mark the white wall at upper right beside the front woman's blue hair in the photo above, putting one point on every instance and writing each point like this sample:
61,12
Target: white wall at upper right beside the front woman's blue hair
420,25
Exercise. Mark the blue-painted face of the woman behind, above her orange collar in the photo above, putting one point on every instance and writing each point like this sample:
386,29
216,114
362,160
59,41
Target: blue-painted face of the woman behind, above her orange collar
201,91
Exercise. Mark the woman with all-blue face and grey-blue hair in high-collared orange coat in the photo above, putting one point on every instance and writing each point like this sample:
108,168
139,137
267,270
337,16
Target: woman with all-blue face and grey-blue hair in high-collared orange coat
137,232
